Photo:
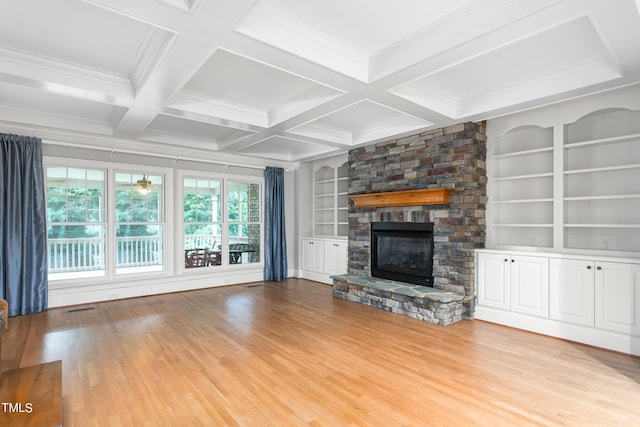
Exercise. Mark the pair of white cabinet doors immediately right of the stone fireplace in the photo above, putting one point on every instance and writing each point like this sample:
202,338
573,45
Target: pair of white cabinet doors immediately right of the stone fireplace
515,283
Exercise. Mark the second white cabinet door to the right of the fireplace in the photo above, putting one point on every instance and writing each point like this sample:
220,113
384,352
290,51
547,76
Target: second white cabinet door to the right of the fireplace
530,285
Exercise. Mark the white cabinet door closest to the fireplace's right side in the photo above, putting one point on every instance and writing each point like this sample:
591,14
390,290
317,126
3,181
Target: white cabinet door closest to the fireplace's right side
493,281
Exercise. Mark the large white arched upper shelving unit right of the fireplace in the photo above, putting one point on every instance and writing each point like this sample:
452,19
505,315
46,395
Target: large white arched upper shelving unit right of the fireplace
565,183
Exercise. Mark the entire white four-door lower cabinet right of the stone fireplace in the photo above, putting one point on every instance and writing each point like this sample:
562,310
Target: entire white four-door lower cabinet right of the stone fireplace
595,301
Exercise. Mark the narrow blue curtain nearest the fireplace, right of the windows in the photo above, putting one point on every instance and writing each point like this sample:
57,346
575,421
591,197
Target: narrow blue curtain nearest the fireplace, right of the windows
275,242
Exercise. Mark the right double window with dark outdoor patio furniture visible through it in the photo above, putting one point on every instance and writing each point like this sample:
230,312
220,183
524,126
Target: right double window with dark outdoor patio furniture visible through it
216,234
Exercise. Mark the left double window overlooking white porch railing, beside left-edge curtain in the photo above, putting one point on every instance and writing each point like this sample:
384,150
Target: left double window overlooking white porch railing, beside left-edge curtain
94,232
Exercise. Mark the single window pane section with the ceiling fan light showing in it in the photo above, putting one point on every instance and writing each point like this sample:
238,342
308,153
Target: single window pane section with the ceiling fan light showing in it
139,227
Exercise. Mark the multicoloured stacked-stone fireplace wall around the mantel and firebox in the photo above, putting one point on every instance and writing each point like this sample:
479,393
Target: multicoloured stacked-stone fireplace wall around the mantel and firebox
452,157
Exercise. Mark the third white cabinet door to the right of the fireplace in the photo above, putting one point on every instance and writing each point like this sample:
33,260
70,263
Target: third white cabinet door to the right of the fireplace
571,291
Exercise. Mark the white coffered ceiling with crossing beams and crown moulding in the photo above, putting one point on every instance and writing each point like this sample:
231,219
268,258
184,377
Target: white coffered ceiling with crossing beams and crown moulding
271,81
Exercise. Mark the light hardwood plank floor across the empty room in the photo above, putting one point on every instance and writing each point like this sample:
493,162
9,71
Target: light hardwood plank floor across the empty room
290,354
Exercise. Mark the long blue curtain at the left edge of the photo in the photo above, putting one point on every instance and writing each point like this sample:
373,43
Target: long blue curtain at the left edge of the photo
23,228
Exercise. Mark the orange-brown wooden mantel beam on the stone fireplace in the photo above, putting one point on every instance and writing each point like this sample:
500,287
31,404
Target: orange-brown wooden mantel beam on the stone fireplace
431,196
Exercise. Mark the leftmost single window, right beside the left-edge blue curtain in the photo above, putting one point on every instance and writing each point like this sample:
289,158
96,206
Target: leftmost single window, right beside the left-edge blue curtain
76,221
